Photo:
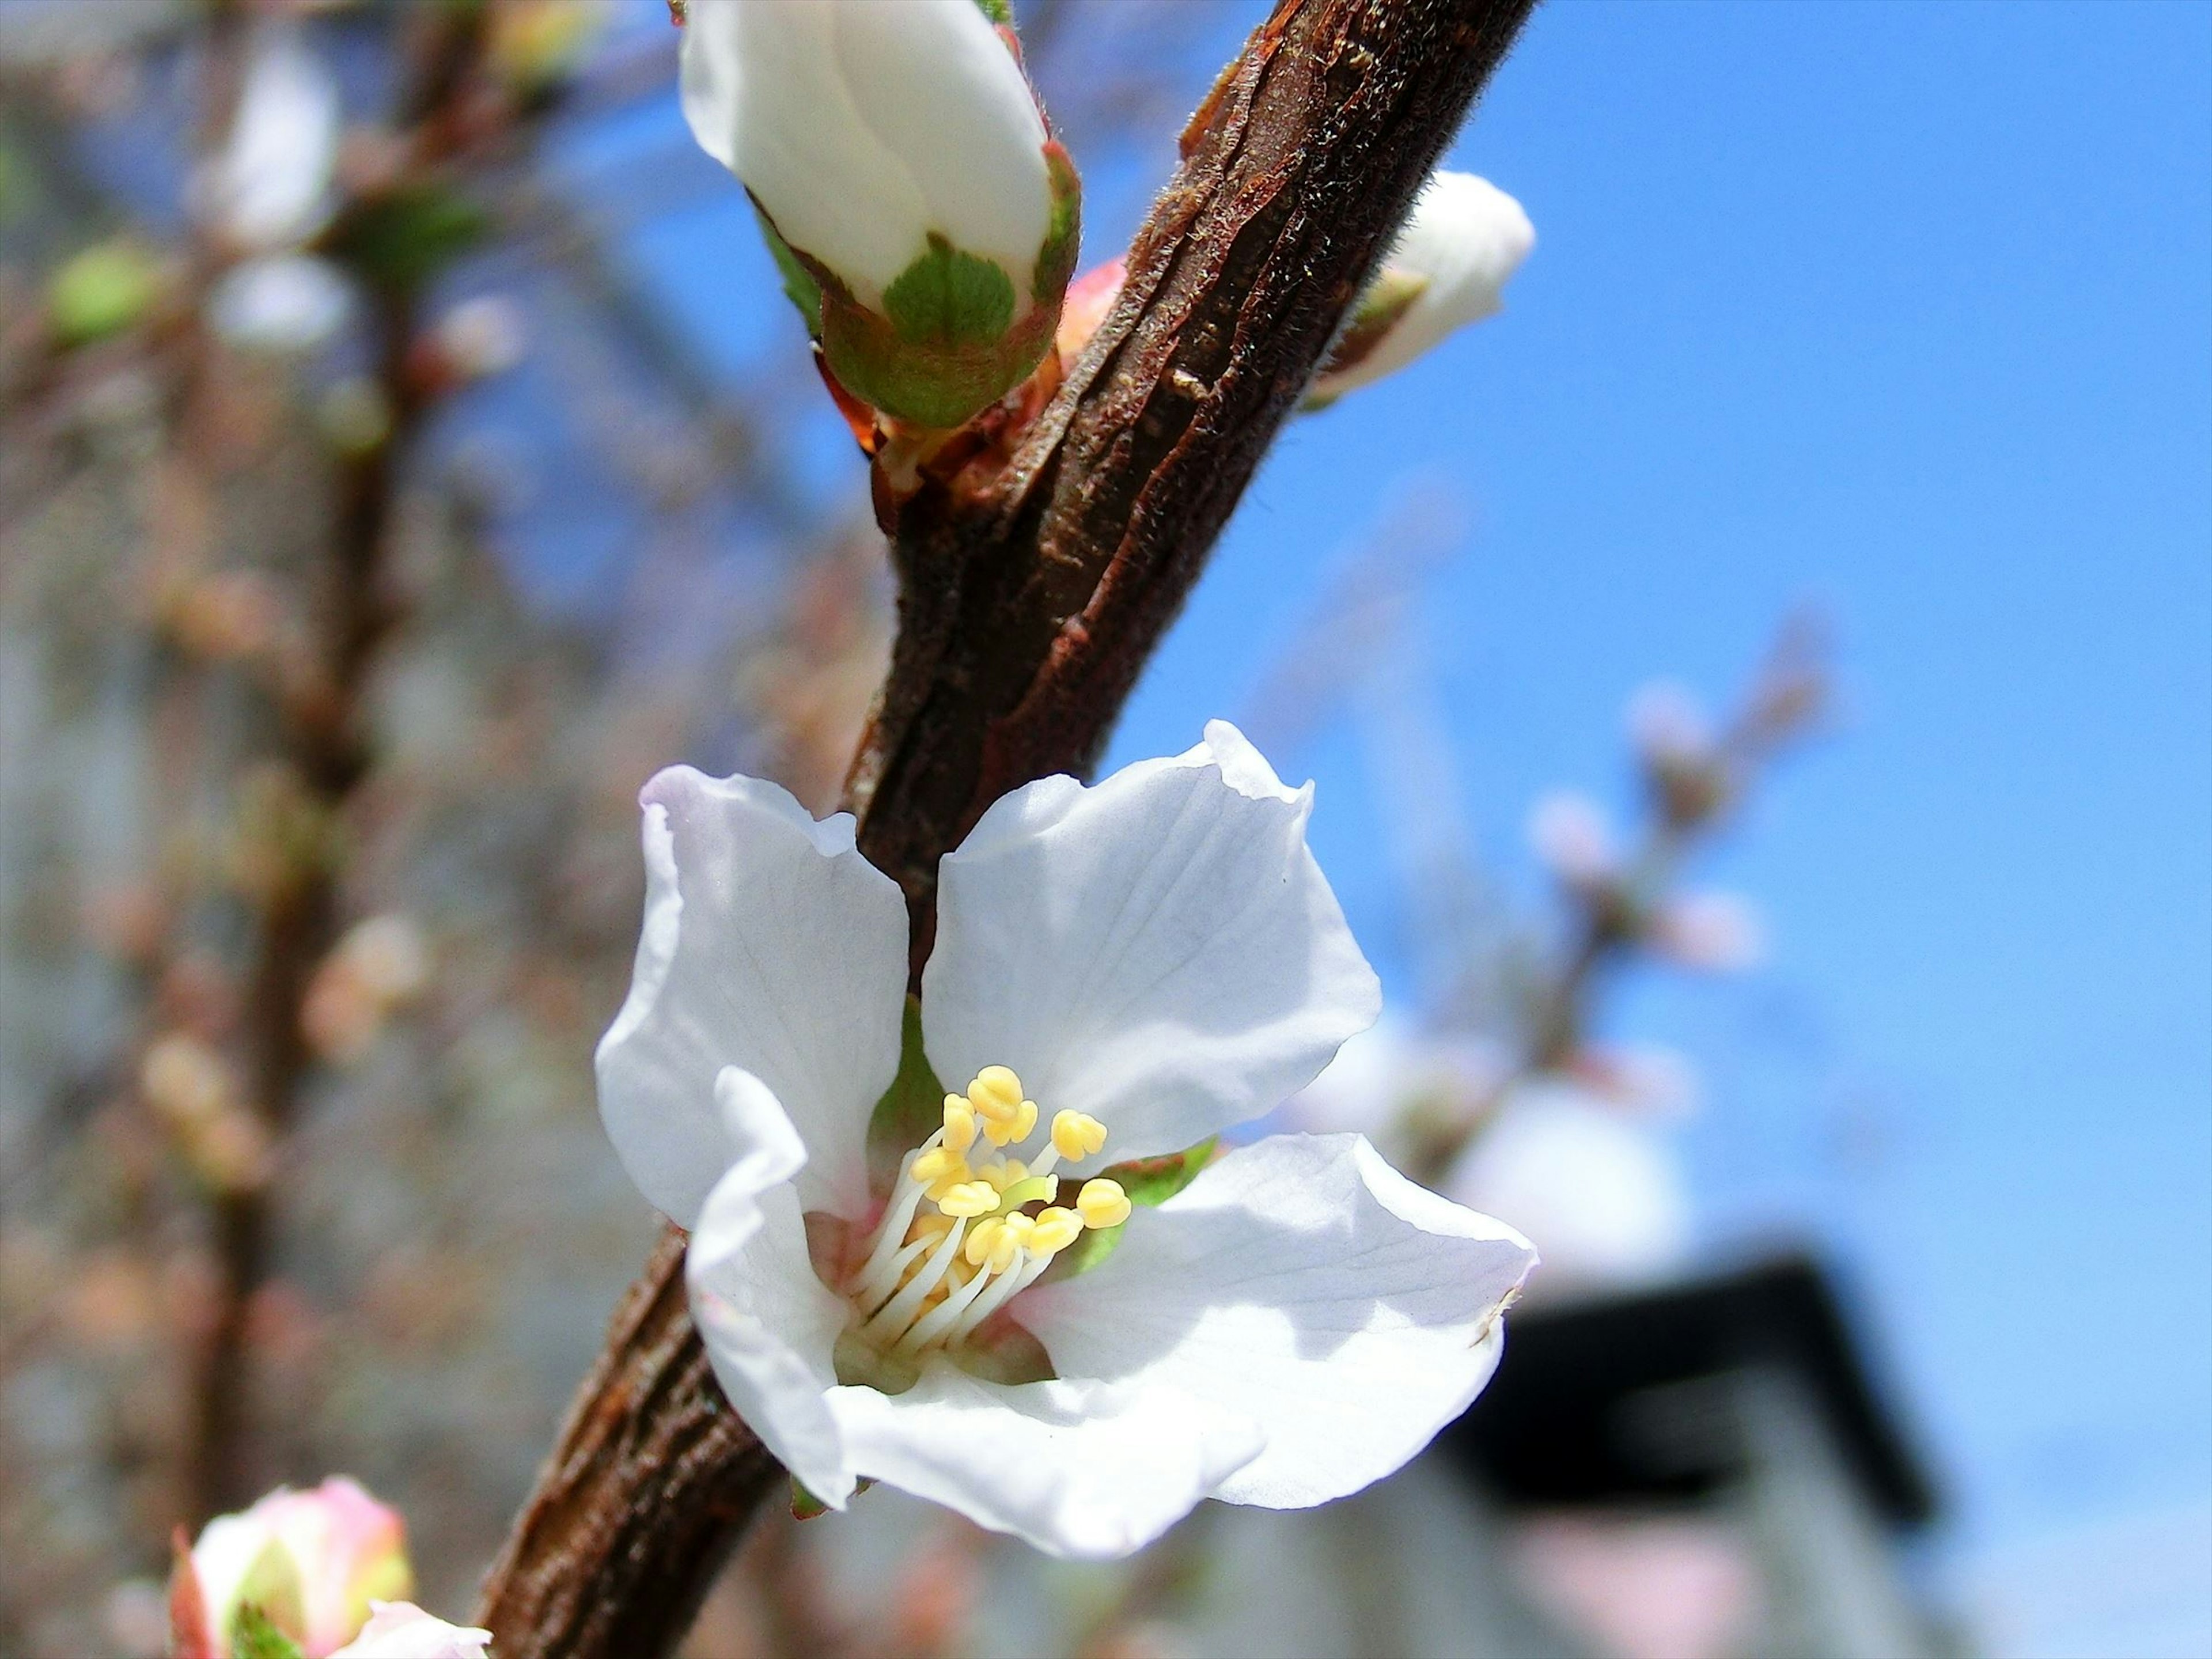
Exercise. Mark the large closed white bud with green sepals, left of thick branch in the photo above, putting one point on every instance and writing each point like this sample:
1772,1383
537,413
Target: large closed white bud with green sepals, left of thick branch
912,194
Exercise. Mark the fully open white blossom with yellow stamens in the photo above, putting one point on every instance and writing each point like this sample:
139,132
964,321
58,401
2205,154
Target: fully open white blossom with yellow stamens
950,1291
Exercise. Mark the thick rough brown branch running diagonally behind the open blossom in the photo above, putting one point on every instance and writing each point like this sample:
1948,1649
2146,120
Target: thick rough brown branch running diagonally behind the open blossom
1025,618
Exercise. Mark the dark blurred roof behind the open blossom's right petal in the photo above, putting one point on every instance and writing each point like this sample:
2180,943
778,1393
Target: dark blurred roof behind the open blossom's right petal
1569,1417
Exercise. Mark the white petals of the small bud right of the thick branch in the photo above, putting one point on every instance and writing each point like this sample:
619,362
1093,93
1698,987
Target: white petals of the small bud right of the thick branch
1465,238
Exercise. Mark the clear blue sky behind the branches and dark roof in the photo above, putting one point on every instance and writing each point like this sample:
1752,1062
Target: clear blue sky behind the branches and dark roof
1903,311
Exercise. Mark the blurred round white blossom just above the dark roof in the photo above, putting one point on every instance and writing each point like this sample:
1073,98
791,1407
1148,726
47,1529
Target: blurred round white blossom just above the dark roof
1600,1196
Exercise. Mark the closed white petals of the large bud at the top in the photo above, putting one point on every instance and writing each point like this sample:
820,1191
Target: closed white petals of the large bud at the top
864,127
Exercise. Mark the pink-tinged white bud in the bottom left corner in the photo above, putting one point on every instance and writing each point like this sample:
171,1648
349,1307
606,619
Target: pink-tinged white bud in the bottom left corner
311,1561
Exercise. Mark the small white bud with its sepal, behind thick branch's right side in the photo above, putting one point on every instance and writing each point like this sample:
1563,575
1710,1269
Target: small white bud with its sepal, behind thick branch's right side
1450,267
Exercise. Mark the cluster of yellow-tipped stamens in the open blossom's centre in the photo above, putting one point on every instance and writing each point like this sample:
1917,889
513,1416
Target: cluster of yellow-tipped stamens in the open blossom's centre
961,1240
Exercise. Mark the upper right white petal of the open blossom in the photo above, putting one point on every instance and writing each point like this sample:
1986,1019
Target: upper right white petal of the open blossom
1160,952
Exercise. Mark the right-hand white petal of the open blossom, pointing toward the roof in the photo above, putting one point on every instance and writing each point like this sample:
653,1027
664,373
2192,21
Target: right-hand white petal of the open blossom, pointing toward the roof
1308,1286
